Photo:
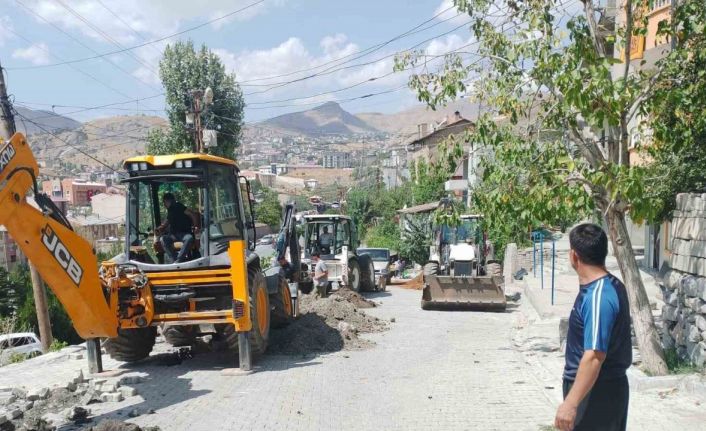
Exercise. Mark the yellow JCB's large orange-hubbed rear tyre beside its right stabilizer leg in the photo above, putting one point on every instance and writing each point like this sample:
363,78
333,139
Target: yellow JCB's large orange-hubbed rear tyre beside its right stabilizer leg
260,332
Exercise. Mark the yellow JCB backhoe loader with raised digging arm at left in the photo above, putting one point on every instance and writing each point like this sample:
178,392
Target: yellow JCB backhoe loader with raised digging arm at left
217,286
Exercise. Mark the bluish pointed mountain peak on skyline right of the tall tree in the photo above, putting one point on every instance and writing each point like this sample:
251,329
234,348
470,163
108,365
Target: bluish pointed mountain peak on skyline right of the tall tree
326,119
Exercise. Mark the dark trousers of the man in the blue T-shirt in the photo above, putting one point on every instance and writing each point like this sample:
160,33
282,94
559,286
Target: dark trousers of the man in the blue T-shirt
605,408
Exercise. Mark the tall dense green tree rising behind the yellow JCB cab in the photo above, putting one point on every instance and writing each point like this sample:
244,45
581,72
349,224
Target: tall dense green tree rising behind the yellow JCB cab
183,69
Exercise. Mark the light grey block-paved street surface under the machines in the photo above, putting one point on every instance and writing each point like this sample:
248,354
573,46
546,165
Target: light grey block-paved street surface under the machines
431,370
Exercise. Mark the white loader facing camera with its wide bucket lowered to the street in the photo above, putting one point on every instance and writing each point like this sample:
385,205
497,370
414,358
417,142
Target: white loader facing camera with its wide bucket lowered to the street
460,274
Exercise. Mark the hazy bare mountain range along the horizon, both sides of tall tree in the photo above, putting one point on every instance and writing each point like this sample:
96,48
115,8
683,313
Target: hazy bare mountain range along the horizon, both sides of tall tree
112,139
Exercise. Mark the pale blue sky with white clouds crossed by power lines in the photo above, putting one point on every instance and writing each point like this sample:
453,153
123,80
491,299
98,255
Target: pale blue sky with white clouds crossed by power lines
258,41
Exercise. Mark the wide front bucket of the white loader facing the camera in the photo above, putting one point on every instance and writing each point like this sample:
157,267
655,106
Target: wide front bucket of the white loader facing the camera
463,293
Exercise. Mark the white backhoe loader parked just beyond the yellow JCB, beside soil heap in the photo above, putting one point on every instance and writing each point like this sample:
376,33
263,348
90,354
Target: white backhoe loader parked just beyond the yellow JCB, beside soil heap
334,237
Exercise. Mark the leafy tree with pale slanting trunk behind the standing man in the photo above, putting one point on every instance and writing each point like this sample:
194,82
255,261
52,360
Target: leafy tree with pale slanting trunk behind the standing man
558,72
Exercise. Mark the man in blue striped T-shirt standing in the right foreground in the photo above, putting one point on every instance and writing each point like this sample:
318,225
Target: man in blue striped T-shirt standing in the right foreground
598,344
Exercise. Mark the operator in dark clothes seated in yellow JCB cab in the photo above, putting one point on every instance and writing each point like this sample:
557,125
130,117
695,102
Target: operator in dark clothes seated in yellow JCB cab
177,228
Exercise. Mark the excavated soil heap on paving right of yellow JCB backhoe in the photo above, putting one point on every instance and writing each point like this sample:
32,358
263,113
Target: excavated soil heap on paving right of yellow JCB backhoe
327,325
